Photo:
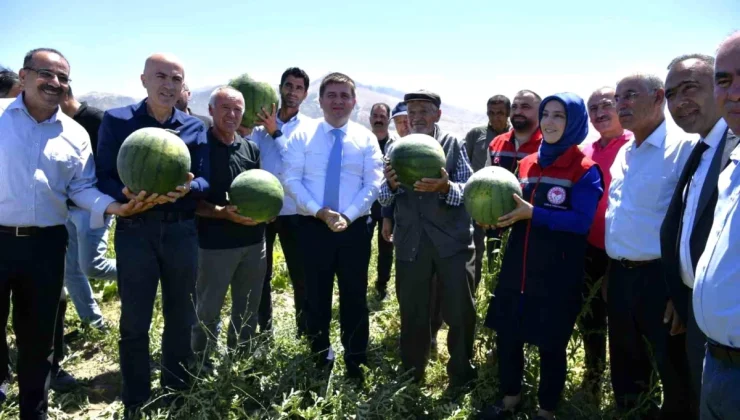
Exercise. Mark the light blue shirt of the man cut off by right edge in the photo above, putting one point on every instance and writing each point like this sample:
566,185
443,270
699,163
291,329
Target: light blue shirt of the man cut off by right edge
717,287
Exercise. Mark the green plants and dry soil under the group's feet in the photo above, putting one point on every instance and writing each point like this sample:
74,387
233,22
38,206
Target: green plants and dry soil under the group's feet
279,380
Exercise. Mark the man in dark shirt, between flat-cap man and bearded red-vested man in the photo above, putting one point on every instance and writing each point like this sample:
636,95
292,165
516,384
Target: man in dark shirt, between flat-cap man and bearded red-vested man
476,145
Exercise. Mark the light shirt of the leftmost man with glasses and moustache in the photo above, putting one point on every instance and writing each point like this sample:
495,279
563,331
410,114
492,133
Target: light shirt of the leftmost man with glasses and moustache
42,164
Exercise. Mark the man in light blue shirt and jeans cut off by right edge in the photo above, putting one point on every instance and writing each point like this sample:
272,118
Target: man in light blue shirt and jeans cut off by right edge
717,286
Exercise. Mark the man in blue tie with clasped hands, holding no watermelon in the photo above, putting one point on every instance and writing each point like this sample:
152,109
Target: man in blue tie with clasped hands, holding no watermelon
333,170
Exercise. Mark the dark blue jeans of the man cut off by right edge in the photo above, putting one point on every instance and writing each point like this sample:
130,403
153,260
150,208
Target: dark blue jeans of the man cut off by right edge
720,390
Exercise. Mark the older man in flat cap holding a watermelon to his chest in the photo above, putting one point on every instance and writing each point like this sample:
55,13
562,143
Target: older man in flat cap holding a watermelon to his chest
434,235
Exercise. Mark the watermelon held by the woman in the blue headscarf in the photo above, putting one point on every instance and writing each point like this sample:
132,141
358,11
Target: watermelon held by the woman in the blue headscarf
488,194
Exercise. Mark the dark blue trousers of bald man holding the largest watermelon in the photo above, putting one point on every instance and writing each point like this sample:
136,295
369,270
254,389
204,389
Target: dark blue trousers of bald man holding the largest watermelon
148,251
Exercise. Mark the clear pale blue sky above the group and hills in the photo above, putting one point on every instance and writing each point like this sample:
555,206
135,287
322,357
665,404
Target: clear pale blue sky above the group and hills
464,50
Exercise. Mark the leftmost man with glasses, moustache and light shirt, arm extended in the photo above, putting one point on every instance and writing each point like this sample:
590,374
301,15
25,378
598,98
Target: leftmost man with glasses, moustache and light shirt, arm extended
44,161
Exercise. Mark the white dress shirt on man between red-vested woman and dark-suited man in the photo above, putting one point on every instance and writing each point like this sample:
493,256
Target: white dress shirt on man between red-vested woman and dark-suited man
643,181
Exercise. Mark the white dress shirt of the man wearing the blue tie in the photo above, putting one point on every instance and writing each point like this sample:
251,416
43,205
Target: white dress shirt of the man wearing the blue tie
306,157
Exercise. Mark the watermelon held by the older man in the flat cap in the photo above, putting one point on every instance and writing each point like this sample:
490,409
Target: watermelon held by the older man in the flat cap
417,156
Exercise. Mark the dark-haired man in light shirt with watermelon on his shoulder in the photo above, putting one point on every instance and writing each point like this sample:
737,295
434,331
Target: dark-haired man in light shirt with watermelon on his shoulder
271,137
